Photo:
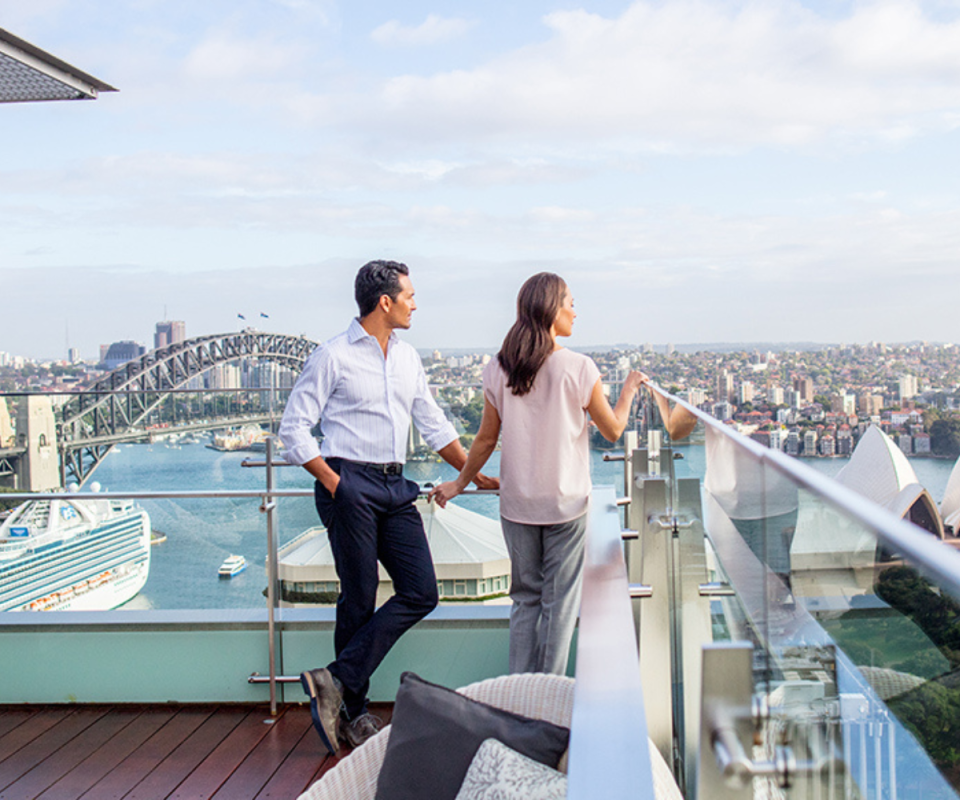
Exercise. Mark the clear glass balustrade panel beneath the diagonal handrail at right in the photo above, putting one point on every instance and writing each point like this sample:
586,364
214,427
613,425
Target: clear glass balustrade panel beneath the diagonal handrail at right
855,653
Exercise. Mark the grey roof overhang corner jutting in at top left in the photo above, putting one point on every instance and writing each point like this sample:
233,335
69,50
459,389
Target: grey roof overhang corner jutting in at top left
29,74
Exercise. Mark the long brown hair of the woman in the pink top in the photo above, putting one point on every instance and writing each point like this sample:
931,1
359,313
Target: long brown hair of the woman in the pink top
528,343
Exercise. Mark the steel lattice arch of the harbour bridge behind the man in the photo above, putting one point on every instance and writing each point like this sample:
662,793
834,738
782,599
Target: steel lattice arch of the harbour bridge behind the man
122,400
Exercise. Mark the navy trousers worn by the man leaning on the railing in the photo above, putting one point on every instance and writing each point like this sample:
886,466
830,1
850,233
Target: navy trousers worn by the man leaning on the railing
372,518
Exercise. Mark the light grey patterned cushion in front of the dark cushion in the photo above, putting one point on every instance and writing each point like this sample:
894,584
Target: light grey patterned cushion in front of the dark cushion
499,773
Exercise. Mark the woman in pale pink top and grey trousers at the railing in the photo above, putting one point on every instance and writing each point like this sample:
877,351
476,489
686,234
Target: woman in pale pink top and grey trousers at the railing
537,395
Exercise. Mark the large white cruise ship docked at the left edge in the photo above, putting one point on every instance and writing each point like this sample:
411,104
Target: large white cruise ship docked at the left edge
73,555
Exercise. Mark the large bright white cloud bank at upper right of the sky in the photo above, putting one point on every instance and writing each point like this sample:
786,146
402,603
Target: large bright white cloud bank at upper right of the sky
695,74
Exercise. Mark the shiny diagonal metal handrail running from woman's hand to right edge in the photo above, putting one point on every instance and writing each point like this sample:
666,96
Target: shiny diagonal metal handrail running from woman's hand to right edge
942,564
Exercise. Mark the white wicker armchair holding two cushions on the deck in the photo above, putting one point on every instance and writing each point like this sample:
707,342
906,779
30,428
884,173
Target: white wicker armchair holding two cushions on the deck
547,697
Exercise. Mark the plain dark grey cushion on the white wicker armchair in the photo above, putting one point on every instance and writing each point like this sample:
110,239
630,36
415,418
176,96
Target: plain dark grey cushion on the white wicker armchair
435,733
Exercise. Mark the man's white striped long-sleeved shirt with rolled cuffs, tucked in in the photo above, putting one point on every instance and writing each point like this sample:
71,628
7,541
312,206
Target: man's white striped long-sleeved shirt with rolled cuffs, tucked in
364,401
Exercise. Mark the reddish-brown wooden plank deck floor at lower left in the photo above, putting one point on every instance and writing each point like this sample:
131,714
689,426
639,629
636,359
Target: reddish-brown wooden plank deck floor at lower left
102,752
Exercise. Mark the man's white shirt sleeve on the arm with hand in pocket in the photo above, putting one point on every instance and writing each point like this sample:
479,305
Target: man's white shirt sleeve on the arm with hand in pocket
305,406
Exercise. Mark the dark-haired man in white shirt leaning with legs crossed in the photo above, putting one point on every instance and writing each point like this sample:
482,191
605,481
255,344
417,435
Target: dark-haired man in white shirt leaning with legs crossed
363,386
